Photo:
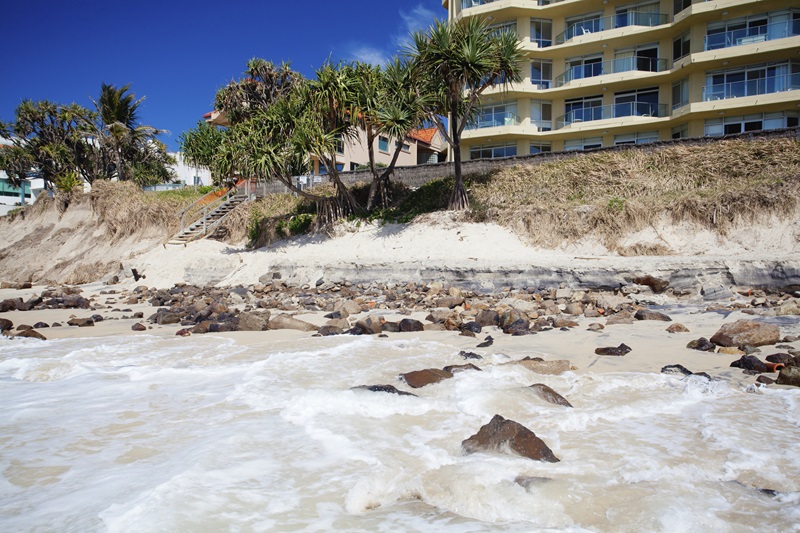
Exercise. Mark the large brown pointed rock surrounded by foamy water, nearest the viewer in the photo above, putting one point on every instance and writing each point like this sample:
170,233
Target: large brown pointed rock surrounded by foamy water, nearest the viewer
500,435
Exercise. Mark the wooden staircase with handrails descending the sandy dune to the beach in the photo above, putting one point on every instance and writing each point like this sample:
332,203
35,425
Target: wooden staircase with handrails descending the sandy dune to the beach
209,211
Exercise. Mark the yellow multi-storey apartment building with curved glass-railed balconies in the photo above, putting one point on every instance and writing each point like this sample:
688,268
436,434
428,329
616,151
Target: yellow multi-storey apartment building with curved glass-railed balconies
609,72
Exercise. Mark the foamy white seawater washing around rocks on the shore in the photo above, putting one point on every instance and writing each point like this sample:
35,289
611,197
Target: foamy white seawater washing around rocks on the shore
204,434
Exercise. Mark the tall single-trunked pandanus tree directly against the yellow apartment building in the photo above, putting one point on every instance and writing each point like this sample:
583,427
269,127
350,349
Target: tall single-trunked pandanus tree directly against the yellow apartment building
457,62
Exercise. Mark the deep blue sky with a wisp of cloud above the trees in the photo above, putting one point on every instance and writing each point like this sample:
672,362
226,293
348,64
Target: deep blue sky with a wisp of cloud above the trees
177,53
